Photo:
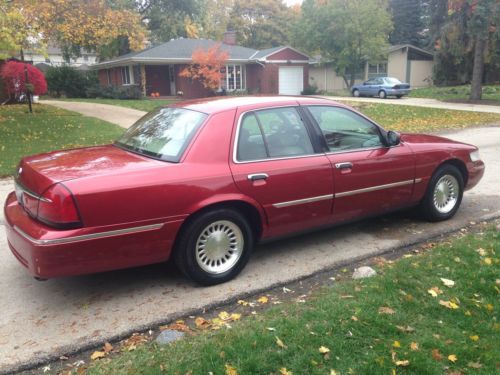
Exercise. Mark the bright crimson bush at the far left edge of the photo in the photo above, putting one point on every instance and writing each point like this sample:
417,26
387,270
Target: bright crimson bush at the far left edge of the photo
14,78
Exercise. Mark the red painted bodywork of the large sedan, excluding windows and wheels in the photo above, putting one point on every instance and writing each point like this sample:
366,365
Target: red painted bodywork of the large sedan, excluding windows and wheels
132,207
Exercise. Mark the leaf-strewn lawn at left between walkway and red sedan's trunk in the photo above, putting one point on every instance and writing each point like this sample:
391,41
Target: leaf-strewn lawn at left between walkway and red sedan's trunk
48,128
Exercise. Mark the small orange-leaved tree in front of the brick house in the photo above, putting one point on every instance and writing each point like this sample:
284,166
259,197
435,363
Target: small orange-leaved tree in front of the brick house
206,66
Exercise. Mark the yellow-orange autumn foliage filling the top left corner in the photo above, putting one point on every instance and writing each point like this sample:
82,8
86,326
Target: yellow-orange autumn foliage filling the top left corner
71,24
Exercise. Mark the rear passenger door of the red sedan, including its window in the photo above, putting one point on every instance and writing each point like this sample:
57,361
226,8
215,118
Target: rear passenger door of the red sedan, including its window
275,163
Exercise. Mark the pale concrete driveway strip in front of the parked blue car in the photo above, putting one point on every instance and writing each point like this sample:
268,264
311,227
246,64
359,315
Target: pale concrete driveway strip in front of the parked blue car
422,102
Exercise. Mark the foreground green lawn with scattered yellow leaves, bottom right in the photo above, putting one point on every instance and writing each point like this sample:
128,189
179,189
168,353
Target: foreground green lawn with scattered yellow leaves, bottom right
404,320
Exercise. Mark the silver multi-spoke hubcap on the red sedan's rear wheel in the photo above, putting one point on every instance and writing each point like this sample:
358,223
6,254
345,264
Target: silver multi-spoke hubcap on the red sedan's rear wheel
219,247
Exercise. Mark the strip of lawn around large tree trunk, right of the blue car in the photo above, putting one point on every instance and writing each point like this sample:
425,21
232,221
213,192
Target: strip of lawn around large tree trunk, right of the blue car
490,92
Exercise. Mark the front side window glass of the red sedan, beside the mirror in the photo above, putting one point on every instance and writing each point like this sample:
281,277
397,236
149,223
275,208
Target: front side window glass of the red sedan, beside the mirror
345,130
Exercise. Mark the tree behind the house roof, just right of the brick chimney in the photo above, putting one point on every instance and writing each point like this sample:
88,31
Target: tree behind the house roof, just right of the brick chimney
260,24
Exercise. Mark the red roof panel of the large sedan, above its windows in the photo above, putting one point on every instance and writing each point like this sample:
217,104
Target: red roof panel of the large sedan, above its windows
221,104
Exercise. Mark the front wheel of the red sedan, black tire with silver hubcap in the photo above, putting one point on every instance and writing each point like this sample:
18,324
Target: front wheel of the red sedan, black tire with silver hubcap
438,205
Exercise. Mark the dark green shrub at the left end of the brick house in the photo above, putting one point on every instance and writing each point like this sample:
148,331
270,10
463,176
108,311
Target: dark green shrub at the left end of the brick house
65,80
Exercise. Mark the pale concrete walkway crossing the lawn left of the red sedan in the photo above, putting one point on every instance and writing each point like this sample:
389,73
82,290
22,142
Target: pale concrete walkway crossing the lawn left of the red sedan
118,115
